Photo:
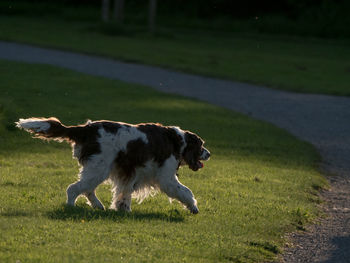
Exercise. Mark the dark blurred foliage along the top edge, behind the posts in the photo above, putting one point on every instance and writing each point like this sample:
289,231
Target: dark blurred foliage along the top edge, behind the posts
322,18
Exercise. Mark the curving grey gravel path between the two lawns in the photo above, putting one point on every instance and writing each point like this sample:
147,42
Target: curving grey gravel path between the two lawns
321,120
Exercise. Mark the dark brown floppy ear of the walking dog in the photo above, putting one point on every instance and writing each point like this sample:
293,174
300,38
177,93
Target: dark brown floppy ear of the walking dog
192,151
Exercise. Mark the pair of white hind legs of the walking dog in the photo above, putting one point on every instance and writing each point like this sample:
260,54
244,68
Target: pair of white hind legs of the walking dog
91,175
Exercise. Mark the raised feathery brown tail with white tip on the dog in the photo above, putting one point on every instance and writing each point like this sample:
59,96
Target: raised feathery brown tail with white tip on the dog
45,128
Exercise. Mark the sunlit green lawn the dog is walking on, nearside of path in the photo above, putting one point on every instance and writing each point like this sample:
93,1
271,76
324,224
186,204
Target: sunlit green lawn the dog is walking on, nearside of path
260,183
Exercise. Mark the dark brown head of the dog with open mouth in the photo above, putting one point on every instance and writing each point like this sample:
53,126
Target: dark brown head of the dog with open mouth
194,151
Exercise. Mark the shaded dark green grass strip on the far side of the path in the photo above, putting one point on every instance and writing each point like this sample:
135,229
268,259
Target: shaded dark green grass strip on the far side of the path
298,64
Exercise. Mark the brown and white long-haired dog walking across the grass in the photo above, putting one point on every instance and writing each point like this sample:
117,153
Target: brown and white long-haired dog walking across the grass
135,158
